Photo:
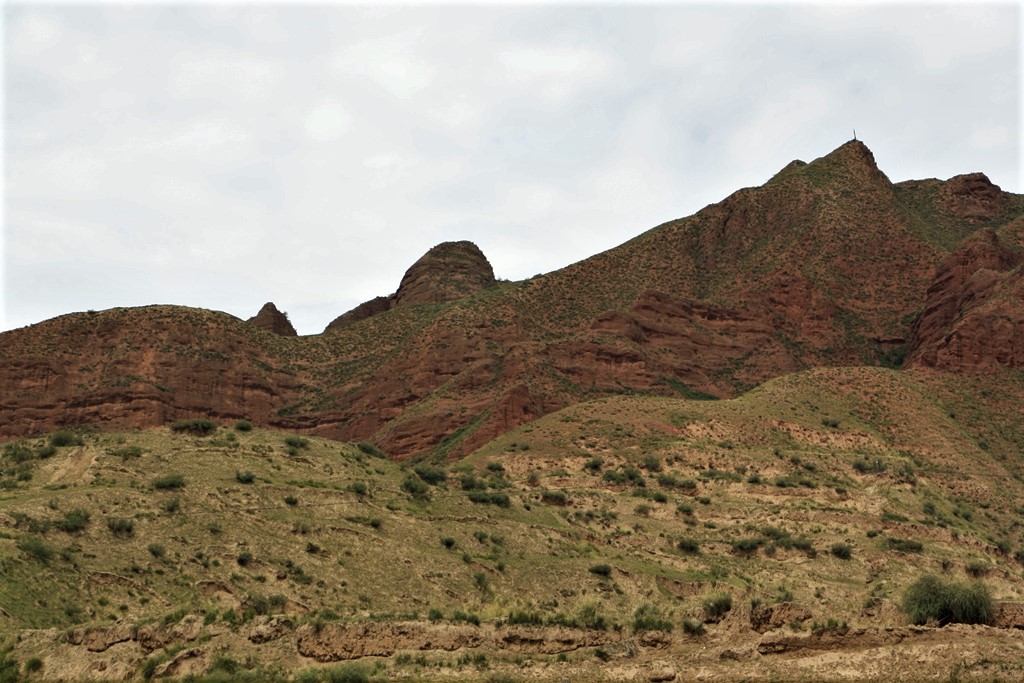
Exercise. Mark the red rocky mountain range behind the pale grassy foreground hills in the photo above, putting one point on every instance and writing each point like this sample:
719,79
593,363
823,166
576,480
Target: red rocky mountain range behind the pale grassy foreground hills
827,265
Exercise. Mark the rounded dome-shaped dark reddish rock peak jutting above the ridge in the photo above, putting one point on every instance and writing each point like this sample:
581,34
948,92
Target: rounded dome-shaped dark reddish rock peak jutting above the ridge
450,271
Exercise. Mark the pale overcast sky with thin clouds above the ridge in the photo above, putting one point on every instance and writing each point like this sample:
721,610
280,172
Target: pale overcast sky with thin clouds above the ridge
223,156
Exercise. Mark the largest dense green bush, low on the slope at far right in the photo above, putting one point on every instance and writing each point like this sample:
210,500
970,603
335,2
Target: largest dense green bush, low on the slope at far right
930,599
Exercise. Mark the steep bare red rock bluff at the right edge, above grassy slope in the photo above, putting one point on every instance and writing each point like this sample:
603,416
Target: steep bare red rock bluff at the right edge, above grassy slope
974,312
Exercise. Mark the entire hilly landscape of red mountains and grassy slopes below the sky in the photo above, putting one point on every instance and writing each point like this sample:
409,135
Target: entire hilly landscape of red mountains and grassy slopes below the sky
780,440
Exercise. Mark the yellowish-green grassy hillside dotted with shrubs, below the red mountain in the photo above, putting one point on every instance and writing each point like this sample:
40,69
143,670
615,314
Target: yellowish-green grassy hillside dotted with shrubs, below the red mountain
611,539
